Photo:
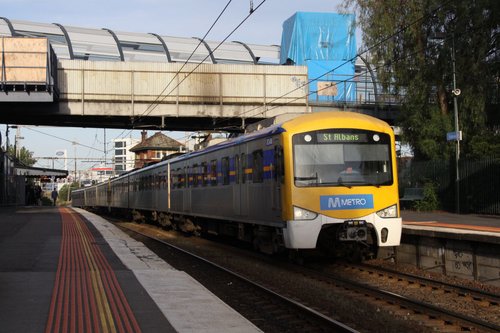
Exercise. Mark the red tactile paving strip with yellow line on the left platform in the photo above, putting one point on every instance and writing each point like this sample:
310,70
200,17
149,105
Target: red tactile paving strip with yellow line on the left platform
86,295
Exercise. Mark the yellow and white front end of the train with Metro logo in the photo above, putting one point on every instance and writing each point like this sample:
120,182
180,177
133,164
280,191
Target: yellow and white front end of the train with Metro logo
341,191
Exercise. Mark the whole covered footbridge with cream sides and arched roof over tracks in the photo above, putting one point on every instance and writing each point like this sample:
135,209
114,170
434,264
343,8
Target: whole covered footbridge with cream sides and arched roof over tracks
68,76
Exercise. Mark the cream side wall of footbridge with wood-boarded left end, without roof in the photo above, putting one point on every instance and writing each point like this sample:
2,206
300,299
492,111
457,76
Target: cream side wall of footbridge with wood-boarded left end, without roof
173,96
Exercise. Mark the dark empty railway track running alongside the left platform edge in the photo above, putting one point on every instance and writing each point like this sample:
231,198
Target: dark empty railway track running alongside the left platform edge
267,309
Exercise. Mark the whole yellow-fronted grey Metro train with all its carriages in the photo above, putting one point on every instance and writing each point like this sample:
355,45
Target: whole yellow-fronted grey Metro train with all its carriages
319,181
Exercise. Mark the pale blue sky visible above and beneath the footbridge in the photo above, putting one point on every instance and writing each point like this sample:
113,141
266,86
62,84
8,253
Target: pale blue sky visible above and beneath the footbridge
179,18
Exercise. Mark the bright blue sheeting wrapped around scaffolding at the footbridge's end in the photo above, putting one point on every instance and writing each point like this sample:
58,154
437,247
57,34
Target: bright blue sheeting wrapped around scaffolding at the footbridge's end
326,43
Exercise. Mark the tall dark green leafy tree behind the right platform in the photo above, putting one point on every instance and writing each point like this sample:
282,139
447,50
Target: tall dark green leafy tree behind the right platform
413,64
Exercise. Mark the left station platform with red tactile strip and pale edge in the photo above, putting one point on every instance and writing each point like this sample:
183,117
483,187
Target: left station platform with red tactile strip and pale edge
67,270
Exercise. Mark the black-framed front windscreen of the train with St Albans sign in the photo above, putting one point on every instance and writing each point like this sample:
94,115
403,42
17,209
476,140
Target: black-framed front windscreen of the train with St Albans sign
342,157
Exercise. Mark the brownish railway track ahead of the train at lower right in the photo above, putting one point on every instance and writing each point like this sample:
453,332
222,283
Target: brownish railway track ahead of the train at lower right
438,317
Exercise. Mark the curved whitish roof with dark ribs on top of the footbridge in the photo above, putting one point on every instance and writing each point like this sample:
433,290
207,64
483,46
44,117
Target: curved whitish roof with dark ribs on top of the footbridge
99,44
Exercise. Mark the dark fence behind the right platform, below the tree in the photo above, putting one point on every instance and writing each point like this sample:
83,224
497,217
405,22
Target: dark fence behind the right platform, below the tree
479,185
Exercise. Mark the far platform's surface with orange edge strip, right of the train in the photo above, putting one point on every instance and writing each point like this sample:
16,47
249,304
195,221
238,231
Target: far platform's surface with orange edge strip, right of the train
483,228
